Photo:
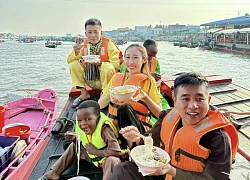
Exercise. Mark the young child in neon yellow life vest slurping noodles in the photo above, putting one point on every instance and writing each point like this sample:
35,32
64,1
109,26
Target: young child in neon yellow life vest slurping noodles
99,144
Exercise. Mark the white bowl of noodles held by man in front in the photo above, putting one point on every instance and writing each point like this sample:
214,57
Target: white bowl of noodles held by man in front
160,158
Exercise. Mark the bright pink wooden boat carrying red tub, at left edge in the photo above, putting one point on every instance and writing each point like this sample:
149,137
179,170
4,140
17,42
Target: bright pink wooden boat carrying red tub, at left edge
30,118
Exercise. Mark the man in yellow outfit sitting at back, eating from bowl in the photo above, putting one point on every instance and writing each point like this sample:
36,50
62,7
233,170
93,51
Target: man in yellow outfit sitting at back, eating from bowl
95,44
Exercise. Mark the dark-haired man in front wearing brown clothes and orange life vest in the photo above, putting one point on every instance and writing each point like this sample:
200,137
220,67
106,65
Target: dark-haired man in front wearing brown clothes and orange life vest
201,143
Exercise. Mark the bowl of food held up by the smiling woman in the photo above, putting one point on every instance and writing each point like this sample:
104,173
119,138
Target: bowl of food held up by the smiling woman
122,93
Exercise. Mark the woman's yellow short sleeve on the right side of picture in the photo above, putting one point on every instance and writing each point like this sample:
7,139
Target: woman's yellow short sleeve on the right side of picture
150,88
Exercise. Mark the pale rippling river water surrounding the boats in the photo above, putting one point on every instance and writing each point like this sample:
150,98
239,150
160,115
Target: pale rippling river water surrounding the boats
33,66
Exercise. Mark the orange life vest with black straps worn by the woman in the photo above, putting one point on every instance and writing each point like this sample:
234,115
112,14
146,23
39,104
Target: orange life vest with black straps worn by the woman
140,107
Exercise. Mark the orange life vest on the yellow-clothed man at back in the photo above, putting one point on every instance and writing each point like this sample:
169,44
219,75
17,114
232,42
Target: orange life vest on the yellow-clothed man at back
104,50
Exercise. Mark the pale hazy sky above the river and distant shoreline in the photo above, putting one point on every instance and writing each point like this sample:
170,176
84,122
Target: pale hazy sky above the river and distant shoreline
58,17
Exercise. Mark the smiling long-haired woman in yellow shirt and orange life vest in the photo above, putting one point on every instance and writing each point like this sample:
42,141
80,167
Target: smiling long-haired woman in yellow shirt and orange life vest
135,112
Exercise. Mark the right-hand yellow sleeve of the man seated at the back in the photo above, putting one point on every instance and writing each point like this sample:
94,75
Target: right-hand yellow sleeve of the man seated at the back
113,53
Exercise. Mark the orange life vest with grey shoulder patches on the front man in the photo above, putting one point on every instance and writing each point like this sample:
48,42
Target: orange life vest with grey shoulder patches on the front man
183,146
